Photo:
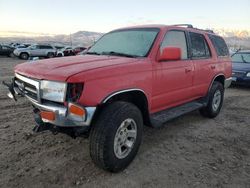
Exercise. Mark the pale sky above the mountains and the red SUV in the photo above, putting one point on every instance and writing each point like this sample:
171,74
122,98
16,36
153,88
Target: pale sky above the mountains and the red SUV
69,16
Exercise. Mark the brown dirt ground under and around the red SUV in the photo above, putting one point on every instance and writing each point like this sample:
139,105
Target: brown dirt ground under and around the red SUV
190,151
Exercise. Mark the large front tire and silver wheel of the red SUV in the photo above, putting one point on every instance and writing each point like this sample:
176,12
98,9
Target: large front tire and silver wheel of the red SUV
106,136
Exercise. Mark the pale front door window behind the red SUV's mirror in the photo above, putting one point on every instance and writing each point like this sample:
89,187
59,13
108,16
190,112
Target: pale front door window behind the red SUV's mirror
176,39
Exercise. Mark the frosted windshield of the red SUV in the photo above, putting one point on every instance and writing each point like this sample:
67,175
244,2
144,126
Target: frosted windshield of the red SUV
130,43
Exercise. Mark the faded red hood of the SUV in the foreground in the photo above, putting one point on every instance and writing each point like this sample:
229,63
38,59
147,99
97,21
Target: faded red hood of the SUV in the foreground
60,69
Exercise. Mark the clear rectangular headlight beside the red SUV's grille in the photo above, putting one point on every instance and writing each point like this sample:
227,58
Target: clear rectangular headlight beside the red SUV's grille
53,91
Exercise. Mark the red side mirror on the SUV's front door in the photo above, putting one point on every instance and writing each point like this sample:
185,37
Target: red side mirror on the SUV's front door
170,54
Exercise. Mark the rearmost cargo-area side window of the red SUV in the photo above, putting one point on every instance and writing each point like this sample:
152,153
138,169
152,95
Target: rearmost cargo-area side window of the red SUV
219,45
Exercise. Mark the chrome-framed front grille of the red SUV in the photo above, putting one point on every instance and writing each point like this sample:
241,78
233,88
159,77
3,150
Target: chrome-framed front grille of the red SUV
27,87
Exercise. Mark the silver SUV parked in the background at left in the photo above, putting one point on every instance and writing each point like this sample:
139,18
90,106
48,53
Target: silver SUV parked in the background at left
38,50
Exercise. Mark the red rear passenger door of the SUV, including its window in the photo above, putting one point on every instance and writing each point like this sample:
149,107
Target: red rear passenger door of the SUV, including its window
203,63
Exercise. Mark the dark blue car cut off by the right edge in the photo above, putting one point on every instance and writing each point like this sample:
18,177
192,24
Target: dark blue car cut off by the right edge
241,67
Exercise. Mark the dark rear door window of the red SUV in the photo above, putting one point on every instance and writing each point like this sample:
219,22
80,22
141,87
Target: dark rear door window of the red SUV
199,47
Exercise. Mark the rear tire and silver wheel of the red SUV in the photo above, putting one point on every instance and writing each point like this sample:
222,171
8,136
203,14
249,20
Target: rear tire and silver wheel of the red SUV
215,101
